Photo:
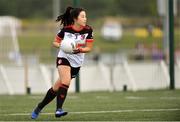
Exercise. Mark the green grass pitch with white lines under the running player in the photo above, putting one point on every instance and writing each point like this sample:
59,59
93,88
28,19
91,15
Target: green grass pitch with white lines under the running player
153,105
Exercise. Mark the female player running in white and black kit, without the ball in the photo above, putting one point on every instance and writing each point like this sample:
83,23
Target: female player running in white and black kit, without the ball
68,65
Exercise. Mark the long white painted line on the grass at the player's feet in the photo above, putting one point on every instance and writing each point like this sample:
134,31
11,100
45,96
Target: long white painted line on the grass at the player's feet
100,112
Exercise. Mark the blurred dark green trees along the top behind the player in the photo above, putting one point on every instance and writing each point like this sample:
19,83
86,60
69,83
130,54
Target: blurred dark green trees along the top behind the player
95,8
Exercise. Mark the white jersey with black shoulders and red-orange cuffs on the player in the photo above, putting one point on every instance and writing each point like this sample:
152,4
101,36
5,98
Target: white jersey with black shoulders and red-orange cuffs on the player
80,37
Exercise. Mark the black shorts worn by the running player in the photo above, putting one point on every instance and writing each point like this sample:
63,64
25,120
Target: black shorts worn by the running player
64,61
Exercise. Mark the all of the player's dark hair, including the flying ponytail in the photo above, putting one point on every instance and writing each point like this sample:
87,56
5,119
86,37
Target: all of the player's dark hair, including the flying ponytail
68,17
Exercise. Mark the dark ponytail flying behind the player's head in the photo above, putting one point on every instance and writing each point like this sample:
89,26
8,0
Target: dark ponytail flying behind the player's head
66,18
